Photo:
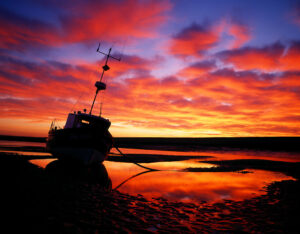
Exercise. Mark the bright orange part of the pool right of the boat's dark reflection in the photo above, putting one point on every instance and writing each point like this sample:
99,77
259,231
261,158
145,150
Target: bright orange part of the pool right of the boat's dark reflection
192,186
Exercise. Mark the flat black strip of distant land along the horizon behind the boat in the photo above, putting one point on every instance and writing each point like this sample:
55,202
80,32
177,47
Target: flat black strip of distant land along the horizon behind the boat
290,144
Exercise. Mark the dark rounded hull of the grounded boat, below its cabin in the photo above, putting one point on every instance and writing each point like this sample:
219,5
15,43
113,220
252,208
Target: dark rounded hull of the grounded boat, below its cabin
84,145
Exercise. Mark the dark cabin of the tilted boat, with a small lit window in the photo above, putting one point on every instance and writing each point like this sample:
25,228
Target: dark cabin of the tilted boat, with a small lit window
82,120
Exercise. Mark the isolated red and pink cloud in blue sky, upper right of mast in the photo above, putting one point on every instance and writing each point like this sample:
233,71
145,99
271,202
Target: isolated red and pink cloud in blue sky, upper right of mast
198,39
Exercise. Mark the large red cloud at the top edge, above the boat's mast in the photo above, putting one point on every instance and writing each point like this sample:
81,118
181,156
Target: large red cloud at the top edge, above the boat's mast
114,19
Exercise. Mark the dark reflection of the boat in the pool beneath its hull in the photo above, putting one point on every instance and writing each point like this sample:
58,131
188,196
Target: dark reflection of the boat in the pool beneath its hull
78,173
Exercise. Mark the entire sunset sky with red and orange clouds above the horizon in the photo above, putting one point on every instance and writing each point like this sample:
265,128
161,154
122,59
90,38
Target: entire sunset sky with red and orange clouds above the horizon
189,68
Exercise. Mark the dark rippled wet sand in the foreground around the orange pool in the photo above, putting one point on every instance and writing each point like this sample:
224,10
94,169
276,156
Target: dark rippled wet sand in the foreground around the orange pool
72,199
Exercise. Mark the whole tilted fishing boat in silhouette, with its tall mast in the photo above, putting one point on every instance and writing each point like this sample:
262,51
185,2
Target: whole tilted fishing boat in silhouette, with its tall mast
85,137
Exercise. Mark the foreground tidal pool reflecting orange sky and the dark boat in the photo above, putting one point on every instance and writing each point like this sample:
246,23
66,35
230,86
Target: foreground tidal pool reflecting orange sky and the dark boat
171,182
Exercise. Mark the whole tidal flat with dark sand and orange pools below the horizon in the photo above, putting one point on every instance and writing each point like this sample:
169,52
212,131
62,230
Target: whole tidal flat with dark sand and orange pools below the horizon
259,192
